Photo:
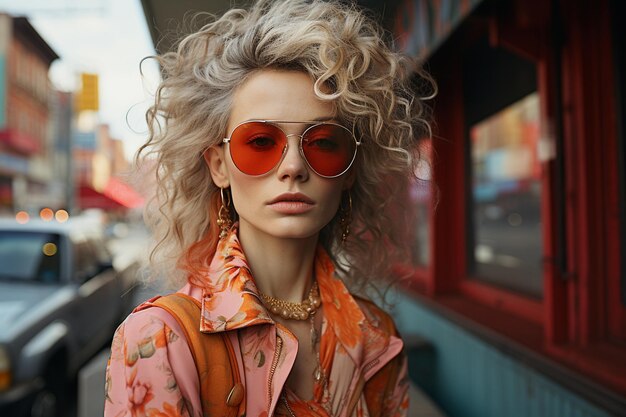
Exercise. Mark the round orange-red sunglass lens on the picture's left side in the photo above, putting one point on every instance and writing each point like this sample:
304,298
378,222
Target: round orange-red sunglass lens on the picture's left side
256,147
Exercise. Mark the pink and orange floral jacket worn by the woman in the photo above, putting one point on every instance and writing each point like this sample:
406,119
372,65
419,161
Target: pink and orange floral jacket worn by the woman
151,371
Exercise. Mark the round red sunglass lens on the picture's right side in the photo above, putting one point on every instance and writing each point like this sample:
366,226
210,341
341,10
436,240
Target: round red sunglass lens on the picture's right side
329,149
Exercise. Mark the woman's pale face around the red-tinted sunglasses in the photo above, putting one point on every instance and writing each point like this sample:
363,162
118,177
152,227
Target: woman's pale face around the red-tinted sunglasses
290,201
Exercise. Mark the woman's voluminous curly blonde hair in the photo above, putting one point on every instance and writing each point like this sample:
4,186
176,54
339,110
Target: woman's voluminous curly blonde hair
375,91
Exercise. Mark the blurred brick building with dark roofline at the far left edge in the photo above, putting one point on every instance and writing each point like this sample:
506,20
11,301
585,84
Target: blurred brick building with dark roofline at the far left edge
25,138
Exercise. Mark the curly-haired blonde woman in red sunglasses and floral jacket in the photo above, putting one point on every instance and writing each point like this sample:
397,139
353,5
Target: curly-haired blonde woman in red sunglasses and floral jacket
281,134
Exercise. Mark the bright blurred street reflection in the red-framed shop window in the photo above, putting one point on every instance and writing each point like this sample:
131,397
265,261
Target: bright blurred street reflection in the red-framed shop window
506,198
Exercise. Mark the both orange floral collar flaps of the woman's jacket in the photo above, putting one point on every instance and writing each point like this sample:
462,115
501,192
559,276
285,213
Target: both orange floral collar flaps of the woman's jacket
231,301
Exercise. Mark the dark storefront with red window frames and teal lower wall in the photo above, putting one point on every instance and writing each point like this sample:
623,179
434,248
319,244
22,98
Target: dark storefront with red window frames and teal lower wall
517,275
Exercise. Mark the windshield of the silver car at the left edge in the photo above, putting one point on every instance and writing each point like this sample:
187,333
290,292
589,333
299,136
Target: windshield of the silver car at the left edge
29,256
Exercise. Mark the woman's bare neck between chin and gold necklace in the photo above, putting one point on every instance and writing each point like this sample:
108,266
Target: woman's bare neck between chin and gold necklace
282,268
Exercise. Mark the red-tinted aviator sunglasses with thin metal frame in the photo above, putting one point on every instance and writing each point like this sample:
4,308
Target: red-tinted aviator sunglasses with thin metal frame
257,146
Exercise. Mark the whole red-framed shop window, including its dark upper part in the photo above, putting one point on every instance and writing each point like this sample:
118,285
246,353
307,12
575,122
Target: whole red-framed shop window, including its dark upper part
504,179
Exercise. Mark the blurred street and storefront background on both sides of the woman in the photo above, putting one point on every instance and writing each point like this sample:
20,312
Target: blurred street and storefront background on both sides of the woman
513,301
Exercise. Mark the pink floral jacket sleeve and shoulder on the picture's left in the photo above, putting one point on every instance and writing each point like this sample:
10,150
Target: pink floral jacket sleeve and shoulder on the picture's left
151,365
